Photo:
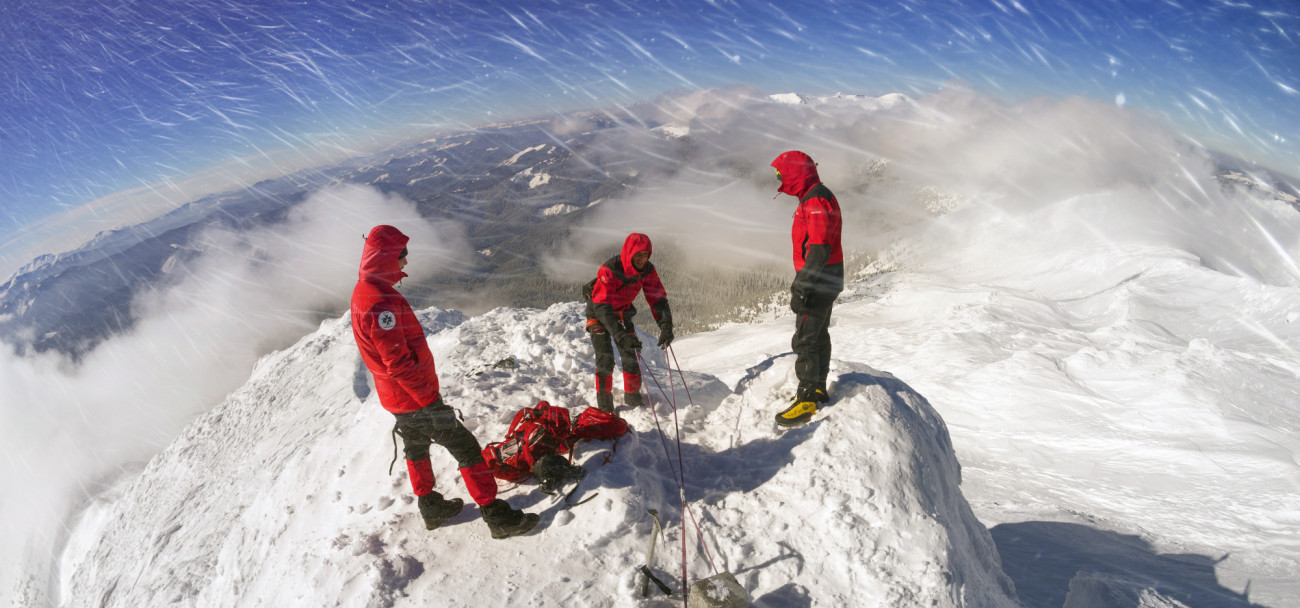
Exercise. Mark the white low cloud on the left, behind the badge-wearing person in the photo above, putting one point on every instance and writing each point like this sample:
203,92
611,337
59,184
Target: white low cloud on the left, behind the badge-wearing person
67,429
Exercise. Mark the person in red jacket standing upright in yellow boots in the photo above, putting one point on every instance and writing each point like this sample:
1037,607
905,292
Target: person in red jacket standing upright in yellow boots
818,280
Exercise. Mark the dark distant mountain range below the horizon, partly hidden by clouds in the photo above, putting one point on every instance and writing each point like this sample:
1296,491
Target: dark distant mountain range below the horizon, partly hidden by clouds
518,189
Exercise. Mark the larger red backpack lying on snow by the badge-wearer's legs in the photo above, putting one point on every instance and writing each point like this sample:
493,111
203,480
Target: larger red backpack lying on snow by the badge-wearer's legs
538,432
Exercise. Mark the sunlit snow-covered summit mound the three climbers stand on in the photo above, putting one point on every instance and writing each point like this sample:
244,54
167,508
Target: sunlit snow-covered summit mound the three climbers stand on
283,494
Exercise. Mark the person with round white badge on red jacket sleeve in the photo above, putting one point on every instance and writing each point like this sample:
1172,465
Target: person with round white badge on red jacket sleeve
395,350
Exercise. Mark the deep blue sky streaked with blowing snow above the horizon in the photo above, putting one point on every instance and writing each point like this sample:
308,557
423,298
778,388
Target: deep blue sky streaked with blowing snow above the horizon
107,97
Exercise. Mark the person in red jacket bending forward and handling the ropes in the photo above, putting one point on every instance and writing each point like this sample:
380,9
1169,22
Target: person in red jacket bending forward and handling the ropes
609,318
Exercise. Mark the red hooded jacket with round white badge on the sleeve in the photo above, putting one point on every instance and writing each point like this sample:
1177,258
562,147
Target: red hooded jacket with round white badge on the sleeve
388,332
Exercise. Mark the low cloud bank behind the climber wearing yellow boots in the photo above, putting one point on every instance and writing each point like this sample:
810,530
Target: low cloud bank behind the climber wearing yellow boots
948,179
